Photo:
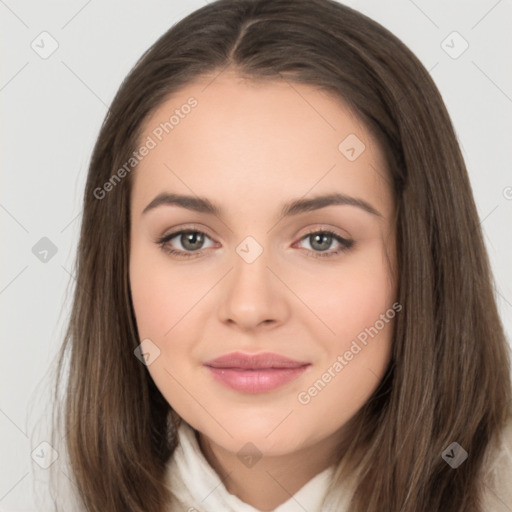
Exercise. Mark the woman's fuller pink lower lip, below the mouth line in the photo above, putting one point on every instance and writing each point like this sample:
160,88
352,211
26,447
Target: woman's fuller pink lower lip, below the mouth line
255,381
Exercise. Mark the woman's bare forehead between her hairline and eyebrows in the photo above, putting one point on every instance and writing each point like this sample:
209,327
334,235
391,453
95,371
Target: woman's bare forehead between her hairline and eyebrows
227,136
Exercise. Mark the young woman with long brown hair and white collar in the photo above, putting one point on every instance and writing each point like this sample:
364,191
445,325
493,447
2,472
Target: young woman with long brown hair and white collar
283,298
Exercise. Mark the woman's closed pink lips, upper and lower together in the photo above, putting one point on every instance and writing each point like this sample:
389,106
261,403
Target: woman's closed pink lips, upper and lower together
257,373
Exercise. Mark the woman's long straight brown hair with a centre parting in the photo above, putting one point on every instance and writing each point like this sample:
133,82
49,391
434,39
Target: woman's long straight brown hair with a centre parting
448,379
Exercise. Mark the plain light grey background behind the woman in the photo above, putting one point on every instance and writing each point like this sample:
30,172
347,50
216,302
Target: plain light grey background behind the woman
52,110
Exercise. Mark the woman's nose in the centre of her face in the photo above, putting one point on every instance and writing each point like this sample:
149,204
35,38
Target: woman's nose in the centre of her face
252,297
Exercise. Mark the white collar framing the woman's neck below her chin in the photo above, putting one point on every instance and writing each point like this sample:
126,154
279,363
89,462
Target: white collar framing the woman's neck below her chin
197,486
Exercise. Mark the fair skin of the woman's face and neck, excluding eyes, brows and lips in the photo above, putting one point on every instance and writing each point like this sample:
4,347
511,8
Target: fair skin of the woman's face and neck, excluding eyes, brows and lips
250,147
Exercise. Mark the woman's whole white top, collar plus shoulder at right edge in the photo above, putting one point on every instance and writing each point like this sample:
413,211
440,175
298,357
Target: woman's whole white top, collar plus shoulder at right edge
198,488
